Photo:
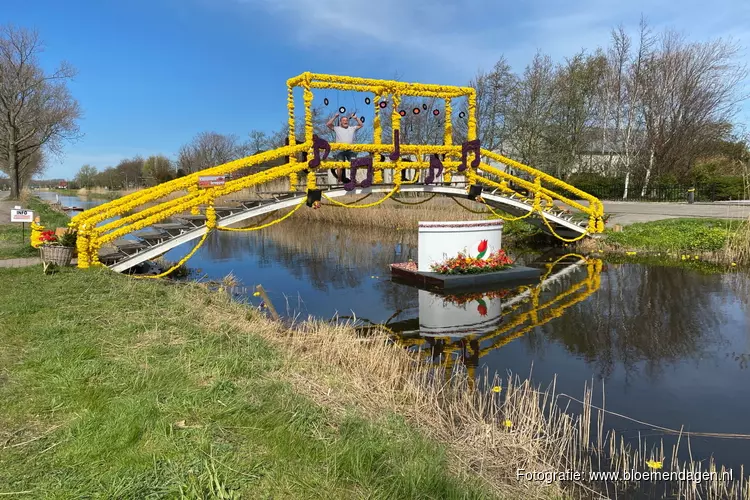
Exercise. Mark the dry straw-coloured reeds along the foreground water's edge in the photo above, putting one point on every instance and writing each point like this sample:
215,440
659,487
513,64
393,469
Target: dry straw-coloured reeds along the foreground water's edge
491,434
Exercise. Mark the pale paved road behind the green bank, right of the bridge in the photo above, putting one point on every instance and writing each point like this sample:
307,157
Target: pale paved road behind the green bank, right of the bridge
628,212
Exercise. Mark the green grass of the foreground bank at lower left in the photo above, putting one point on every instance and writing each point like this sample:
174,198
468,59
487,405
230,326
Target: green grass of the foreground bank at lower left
111,388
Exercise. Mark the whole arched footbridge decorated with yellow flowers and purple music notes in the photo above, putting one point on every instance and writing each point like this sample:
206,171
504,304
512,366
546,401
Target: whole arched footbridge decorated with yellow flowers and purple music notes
141,226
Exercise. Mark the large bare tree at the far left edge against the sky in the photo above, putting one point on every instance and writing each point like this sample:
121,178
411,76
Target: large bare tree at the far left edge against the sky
36,109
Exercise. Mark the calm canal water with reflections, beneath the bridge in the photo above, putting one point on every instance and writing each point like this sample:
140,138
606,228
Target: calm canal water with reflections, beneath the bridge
669,346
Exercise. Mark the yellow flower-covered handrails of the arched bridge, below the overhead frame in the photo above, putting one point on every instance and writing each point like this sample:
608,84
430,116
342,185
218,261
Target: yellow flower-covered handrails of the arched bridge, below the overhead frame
151,206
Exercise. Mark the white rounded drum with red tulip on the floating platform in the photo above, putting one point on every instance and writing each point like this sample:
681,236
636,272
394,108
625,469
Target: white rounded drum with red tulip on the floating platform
439,241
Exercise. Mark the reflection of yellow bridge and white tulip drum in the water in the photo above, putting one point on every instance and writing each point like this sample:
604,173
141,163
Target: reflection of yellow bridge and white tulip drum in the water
464,334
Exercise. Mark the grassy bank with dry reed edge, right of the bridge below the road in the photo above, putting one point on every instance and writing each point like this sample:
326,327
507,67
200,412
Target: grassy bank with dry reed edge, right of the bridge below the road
720,241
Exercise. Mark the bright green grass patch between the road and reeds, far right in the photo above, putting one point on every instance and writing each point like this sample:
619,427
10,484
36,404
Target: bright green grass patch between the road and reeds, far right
675,235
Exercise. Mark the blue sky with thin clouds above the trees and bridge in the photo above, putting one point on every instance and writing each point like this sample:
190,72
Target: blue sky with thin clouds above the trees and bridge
152,74
